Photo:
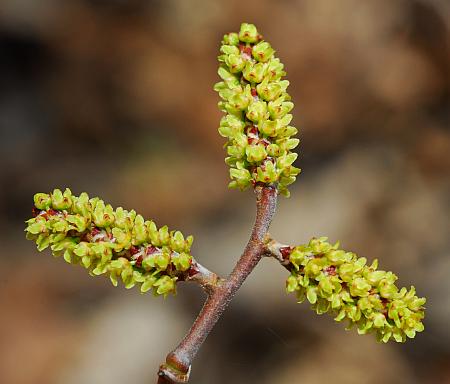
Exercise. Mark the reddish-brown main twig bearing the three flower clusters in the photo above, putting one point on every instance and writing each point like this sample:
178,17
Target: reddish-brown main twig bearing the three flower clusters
178,362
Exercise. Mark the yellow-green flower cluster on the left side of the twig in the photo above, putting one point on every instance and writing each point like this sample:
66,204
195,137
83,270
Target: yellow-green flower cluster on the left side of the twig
88,232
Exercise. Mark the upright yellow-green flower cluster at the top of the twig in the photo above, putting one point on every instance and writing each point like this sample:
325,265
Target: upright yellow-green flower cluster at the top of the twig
257,108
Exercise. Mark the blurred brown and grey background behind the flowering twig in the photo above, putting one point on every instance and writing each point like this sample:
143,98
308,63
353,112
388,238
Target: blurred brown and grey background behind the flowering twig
115,98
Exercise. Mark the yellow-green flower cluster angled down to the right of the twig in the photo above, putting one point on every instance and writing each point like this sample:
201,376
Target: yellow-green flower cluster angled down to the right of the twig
341,283
